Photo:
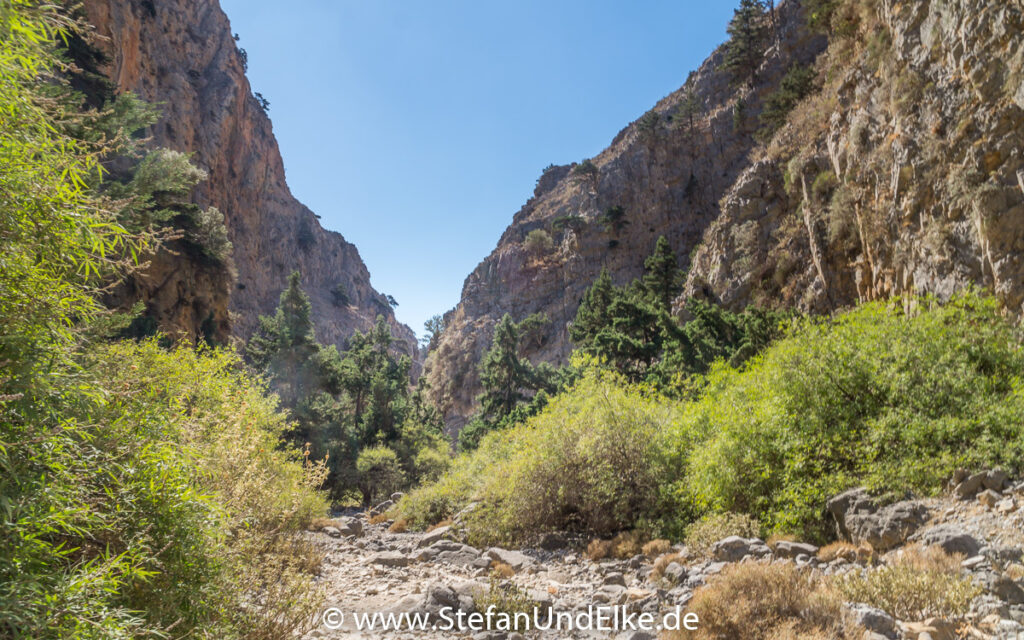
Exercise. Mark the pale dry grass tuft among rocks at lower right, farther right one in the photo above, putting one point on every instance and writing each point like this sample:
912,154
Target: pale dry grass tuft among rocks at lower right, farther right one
915,584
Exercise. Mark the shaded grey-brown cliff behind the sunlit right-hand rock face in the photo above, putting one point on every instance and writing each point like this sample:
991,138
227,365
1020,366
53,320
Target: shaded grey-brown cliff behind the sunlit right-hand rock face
666,174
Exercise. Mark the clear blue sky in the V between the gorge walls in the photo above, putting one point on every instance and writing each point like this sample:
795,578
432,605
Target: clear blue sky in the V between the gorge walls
417,130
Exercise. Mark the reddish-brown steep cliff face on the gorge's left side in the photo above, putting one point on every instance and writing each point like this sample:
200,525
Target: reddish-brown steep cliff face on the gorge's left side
181,54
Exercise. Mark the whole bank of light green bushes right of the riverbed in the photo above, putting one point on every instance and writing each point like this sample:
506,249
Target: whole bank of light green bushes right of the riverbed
885,397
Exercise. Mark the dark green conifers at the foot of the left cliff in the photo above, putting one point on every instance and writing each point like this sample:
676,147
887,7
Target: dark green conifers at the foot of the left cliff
346,403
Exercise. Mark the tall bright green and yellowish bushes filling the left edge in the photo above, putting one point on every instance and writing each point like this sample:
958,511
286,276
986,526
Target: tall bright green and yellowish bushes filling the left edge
143,492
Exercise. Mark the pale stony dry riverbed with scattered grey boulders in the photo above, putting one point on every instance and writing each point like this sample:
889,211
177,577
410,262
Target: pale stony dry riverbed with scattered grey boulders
369,570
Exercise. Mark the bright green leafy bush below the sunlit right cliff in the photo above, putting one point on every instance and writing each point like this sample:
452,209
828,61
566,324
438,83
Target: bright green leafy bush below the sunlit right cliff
880,397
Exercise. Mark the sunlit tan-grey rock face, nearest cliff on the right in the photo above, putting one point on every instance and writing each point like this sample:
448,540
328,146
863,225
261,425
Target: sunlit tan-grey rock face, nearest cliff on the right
905,176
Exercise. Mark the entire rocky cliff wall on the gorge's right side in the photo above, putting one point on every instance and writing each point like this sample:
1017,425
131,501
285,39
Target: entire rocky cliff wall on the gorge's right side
903,174
